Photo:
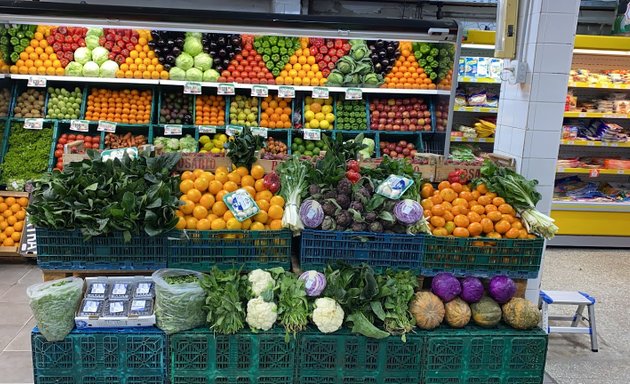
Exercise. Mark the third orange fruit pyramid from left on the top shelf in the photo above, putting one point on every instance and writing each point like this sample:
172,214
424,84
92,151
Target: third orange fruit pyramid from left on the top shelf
301,68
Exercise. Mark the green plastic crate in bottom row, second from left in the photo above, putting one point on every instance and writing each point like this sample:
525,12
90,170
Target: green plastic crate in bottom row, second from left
202,357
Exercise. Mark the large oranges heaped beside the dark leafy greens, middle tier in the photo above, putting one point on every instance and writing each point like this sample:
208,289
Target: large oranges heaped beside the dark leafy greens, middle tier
204,209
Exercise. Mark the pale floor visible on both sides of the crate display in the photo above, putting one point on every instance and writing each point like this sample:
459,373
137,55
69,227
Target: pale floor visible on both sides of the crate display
602,273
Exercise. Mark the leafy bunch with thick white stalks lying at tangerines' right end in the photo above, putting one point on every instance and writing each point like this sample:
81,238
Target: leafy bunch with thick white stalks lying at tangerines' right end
521,194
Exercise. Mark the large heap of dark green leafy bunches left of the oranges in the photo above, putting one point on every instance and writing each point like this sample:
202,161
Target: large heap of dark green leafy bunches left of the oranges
100,197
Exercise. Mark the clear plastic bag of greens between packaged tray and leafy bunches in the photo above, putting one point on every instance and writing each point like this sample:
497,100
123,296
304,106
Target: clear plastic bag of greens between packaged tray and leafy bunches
179,306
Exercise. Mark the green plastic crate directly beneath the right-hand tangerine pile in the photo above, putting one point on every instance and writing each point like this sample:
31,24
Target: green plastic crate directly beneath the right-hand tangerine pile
517,258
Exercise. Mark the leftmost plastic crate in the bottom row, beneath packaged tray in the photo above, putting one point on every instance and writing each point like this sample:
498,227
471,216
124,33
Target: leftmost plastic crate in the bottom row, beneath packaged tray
131,356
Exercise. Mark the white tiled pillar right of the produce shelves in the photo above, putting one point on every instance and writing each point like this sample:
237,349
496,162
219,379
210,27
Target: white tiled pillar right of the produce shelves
530,115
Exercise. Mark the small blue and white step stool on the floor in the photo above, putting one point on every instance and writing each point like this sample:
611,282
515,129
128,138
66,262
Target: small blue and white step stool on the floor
580,299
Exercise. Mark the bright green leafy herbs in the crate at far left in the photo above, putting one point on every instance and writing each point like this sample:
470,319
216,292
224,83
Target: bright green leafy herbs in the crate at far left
27,156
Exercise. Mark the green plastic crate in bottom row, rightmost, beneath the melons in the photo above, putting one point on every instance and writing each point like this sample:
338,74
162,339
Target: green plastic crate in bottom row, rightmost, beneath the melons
475,355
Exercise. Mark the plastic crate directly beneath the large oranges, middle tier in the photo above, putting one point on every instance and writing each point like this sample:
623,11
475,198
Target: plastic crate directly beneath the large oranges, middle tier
202,250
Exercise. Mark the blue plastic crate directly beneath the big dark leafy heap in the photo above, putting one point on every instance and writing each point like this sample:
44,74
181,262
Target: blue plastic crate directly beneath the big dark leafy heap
68,250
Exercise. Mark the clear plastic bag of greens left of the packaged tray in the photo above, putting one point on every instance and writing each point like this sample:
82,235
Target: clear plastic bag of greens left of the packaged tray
54,304
